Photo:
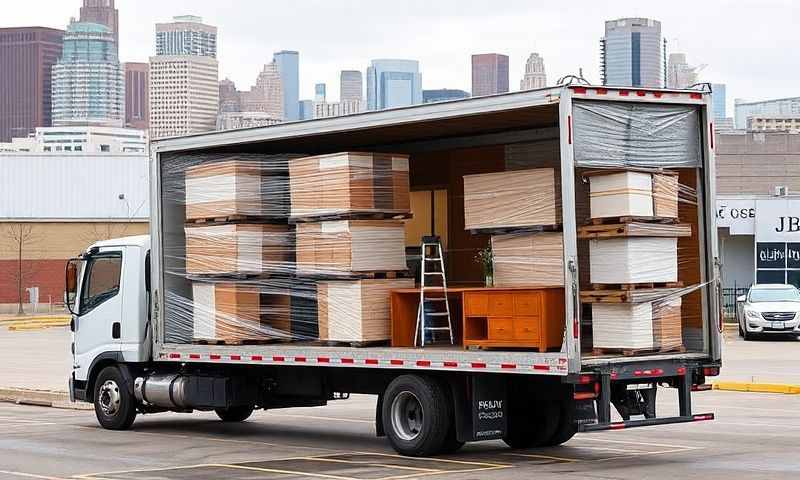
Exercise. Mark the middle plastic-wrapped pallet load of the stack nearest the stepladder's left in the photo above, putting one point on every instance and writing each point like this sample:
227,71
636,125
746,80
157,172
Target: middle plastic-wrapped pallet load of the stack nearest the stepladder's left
345,246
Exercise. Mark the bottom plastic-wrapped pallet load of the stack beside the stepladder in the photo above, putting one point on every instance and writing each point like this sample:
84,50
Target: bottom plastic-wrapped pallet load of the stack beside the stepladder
357,310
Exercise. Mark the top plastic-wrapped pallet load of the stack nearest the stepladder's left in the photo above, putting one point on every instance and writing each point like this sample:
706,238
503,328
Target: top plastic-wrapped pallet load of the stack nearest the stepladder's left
349,182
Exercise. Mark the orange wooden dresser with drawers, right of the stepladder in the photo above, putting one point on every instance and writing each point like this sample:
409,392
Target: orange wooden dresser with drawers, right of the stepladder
514,318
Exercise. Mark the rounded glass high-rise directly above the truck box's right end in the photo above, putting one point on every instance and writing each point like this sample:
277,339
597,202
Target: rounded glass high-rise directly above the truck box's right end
632,53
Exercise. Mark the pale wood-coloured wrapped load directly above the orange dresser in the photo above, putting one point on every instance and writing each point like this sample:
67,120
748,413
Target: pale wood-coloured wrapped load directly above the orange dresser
528,259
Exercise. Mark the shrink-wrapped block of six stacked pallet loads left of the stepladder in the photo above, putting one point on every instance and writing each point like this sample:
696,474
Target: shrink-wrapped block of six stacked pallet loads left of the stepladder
240,269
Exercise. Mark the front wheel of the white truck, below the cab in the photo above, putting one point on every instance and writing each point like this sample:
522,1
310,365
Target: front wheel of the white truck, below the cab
114,405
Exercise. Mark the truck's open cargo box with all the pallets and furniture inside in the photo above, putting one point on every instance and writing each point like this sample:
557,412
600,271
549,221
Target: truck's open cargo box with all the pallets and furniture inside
542,231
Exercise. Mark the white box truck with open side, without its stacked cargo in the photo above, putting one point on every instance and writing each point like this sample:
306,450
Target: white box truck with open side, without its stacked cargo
132,345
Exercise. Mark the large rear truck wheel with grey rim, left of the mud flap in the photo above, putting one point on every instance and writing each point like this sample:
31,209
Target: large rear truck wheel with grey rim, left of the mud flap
423,420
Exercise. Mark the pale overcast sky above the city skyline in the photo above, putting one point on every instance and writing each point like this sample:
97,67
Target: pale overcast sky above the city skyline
748,44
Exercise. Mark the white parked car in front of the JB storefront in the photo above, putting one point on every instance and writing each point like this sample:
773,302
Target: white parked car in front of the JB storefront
769,309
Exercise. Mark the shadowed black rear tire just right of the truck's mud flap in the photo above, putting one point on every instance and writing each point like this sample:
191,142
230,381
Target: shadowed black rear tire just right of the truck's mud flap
532,425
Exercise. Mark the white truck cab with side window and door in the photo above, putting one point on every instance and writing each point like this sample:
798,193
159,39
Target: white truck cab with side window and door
108,297
